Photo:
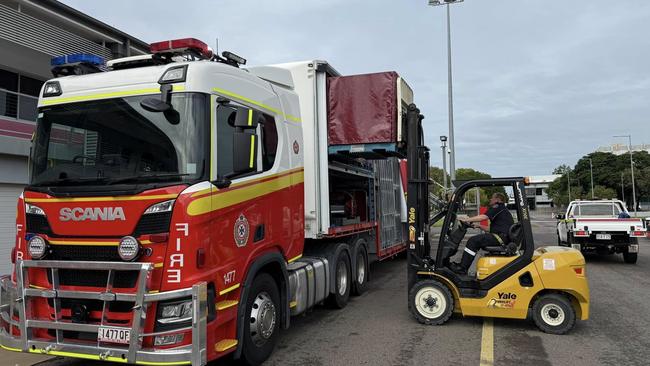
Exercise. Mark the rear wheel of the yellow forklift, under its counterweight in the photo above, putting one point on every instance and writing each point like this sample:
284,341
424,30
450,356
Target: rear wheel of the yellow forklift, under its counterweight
554,314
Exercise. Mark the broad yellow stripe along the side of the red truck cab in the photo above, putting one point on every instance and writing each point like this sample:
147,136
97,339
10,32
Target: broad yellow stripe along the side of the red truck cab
229,198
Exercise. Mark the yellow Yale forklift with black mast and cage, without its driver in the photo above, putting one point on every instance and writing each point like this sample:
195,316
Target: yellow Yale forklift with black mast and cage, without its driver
512,279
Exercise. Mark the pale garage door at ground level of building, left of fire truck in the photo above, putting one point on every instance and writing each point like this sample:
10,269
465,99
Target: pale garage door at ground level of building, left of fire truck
8,198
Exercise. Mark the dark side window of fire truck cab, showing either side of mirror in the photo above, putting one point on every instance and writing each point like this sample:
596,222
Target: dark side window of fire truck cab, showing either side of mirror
267,141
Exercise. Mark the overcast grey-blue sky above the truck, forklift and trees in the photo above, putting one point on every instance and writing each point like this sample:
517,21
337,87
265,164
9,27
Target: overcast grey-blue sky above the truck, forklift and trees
536,83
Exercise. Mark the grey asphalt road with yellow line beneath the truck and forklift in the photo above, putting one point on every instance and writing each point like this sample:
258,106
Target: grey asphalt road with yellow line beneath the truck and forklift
377,329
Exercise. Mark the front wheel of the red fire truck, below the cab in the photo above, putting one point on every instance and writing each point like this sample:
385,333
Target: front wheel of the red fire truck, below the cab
262,325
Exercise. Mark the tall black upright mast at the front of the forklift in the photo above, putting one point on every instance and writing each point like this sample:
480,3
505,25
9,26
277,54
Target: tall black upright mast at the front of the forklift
417,200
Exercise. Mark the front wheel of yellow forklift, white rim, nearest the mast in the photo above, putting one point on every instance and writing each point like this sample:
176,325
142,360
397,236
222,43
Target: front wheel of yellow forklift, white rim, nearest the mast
431,302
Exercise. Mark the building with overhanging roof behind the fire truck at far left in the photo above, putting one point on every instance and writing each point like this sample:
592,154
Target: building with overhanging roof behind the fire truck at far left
31,33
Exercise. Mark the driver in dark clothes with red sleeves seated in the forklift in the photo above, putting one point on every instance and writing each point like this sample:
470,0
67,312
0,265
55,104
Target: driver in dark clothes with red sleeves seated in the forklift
500,222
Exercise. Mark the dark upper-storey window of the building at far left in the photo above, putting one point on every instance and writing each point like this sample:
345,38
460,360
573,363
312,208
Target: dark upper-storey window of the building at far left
18,95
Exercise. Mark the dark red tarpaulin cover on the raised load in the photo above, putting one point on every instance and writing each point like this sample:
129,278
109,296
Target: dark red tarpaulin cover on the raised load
362,108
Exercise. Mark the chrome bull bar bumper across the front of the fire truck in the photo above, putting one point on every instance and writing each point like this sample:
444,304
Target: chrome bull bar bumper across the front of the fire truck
15,298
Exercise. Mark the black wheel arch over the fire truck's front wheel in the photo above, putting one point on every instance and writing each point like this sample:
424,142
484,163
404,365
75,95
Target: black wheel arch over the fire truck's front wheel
275,265
